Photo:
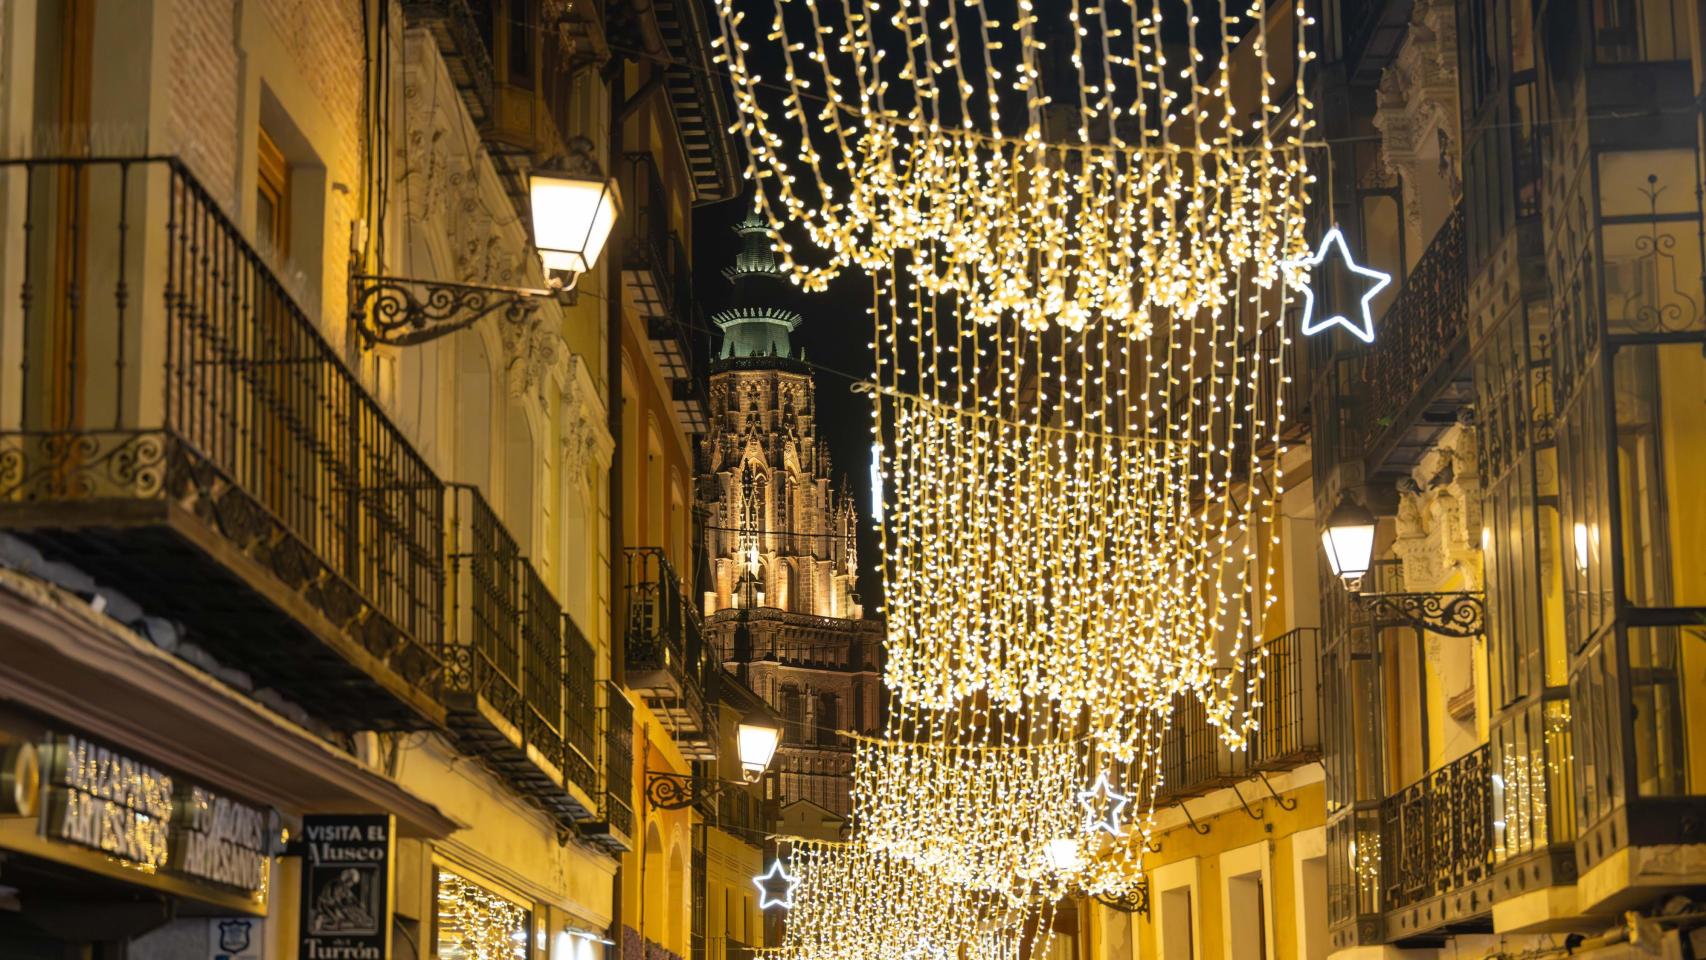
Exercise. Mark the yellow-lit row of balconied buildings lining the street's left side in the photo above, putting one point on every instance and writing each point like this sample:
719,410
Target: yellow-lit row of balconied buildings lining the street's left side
318,500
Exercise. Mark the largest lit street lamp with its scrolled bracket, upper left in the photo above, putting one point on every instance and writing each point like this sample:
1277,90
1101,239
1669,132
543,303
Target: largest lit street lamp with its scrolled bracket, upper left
574,209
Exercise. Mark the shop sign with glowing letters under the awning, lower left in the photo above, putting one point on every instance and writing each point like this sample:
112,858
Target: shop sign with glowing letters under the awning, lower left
115,804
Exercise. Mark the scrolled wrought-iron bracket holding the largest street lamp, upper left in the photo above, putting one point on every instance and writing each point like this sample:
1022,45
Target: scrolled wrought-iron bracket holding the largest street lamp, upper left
402,311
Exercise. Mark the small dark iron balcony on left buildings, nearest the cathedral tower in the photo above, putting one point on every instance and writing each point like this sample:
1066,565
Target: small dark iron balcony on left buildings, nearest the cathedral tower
666,654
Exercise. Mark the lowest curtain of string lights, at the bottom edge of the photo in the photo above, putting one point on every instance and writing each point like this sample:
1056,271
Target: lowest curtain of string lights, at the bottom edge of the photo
857,903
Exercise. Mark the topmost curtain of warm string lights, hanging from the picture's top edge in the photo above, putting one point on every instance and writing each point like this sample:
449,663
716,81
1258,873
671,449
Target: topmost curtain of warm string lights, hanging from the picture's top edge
1042,161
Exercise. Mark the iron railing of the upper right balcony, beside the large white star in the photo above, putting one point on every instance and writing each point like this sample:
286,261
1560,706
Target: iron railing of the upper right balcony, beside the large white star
1420,338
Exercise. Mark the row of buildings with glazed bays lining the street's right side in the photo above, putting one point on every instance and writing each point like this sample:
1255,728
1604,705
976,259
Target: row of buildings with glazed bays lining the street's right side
1509,698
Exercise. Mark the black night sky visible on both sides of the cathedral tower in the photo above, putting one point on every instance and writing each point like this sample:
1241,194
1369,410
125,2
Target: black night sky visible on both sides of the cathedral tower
835,337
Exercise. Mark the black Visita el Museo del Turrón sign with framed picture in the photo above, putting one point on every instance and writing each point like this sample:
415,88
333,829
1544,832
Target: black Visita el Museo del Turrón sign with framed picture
347,888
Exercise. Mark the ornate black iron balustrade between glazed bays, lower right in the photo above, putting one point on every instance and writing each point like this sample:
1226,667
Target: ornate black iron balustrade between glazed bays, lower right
1437,833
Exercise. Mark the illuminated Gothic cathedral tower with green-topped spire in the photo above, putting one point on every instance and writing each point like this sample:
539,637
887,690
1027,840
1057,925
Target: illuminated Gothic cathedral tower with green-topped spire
782,543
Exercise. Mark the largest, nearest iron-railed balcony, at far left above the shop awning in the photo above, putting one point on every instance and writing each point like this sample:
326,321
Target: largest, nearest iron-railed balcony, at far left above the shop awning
177,425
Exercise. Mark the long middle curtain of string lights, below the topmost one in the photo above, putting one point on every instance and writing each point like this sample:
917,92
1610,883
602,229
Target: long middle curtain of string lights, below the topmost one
1081,518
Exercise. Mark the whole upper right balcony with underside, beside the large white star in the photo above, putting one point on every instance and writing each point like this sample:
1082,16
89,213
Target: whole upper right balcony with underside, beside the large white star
1415,378
